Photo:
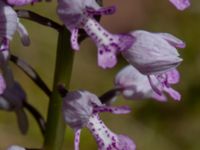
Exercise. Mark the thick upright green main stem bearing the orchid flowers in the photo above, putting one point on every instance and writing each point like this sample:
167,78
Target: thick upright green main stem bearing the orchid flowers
55,131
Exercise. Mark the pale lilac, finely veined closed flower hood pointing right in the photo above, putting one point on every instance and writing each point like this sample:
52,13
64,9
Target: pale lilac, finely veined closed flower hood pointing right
153,53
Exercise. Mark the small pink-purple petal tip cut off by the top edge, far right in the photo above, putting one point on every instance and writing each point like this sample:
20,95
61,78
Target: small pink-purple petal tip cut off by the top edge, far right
180,4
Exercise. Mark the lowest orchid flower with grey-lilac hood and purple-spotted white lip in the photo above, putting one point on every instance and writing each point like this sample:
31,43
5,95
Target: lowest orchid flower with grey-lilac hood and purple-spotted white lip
81,109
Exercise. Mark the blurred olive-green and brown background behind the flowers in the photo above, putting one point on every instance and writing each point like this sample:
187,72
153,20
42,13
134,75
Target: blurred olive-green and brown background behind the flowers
152,125
